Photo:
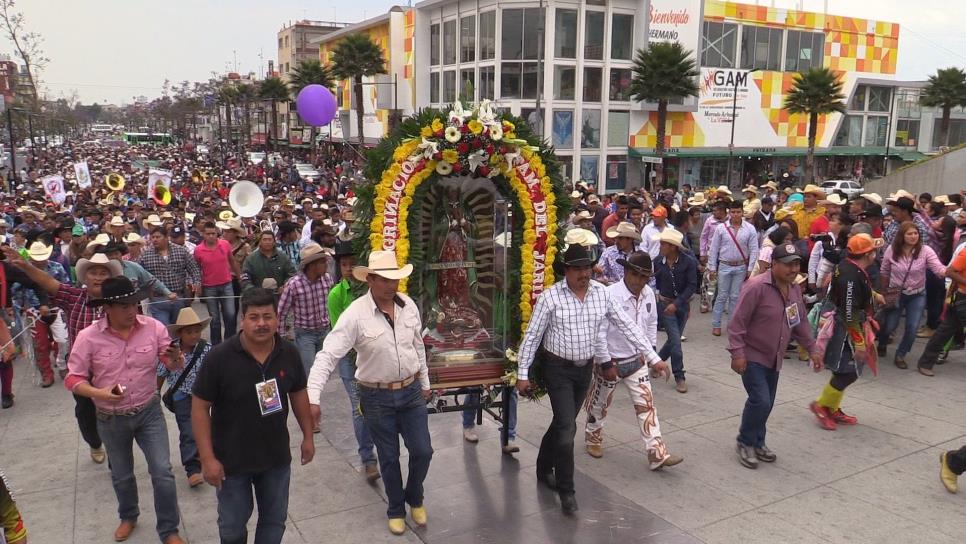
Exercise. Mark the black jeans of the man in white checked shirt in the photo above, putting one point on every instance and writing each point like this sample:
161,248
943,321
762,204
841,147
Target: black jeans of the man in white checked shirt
567,387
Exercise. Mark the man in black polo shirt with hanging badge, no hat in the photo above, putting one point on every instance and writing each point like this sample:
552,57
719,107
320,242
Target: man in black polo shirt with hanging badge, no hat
239,415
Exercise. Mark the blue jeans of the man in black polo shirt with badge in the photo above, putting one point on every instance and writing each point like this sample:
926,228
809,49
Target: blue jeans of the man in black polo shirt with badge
235,505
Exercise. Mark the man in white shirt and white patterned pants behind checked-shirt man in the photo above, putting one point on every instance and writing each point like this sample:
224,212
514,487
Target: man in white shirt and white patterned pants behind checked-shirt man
639,303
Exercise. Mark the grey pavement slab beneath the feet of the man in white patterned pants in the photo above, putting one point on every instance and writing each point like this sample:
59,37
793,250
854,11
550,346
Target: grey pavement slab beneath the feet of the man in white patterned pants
671,494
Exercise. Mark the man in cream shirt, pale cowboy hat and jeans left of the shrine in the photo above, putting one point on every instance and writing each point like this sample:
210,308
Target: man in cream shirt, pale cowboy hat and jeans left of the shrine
383,326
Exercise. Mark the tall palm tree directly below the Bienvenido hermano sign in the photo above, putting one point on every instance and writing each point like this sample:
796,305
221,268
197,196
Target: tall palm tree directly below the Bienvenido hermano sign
663,72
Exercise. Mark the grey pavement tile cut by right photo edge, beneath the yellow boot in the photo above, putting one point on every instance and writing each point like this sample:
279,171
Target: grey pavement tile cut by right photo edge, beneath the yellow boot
910,488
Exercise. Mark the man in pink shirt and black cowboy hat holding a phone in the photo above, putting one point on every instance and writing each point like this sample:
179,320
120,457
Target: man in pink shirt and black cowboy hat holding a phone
114,362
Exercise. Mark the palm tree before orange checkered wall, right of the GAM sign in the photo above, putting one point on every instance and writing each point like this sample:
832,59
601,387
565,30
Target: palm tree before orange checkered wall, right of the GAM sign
815,92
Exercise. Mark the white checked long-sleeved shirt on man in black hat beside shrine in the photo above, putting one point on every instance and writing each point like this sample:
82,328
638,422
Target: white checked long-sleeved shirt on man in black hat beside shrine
569,327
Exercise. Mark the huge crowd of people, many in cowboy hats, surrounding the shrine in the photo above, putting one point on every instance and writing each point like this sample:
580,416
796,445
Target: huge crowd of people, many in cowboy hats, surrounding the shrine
104,283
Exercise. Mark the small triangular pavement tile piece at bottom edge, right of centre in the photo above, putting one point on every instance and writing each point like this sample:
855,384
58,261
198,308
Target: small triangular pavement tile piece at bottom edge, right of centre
757,527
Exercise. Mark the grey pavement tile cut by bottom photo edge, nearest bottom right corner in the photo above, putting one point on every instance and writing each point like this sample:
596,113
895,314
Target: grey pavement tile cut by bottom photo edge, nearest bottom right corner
838,517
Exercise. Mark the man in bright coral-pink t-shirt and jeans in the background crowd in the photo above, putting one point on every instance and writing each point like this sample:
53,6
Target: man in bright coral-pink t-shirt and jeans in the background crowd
215,260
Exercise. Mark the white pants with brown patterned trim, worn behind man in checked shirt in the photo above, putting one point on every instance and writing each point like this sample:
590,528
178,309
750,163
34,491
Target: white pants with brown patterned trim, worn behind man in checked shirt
639,387
